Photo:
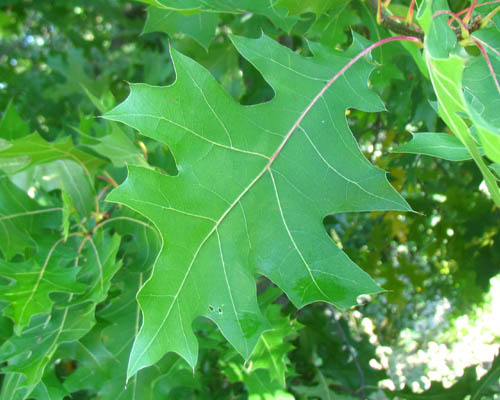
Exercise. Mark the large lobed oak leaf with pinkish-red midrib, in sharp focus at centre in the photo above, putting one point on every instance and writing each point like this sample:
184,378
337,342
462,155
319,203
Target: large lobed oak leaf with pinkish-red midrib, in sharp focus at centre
254,185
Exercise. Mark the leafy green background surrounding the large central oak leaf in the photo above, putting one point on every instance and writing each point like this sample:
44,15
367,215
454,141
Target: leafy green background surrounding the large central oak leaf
73,263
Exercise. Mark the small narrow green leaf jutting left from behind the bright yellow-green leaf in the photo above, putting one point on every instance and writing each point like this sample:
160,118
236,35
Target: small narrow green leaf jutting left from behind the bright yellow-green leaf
436,144
